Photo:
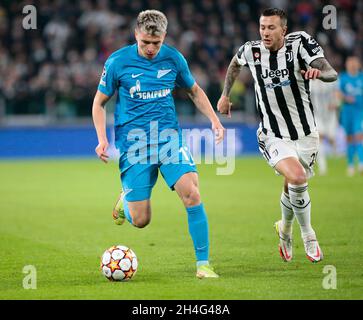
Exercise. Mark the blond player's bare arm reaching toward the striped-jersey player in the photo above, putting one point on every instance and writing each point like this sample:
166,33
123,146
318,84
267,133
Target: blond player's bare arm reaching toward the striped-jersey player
201,101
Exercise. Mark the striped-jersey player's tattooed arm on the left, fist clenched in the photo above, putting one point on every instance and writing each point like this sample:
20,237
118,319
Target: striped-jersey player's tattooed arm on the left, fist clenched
224,105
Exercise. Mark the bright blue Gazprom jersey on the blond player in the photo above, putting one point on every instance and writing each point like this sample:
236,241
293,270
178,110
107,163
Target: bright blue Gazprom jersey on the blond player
144,88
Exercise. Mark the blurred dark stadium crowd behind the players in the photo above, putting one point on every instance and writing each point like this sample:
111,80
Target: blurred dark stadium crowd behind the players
55,69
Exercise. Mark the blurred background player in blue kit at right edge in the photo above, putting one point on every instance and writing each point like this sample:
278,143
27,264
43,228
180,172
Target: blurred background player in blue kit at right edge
351,115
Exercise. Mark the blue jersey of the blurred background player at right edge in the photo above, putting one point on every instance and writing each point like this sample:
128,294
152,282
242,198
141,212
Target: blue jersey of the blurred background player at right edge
352,86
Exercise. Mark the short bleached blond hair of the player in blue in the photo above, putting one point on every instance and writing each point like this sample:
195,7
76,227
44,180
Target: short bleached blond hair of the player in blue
152,22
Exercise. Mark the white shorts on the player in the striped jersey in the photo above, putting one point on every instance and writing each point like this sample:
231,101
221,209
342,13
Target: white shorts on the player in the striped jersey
275,149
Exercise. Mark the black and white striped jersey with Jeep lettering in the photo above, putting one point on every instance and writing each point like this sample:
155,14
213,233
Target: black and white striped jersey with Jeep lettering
282,95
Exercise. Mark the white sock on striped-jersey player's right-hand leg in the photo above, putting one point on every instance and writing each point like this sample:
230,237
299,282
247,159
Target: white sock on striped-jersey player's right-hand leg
300,202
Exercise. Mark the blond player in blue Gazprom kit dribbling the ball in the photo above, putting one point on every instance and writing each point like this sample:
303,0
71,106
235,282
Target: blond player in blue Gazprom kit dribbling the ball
144,75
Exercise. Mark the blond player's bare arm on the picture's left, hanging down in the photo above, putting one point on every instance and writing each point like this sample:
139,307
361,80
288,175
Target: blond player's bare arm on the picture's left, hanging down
99,120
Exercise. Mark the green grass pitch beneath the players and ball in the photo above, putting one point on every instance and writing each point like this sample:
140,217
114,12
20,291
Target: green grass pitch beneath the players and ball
56,216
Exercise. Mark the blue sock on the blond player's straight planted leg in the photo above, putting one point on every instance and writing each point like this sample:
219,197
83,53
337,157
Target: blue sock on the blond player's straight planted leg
198,229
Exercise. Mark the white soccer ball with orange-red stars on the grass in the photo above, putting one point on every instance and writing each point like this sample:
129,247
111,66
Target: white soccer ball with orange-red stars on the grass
119,263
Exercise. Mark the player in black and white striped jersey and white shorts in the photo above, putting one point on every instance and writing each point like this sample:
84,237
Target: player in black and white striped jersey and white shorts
282,65
